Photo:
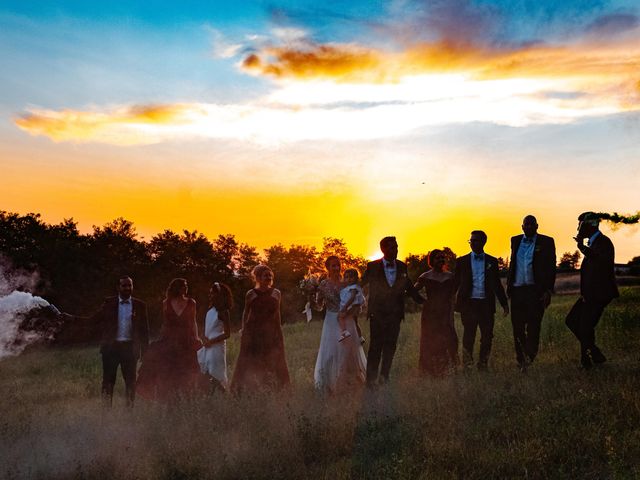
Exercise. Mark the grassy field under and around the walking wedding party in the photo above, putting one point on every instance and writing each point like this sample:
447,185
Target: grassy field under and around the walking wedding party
555,422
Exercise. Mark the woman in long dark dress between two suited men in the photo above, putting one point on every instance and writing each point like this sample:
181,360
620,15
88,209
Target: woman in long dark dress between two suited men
438,339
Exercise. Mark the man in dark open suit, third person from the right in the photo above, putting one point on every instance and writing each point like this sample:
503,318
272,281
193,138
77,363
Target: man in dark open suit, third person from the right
478,284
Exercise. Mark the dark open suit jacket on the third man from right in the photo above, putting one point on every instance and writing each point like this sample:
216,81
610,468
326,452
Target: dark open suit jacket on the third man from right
464,282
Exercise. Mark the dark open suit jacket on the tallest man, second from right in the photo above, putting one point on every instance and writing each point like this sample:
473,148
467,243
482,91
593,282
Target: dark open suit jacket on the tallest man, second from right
544,263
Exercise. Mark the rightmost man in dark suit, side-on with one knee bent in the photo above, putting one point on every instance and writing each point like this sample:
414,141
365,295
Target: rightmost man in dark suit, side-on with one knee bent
597,287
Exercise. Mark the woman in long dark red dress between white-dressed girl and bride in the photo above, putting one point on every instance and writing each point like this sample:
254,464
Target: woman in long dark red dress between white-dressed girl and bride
261,364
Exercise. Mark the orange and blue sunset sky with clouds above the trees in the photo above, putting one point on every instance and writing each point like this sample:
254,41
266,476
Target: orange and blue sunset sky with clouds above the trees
284,122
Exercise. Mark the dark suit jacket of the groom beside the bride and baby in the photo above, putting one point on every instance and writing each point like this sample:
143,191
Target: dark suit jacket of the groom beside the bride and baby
387,302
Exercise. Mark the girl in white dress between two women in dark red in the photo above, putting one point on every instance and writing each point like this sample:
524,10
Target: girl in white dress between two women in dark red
212,357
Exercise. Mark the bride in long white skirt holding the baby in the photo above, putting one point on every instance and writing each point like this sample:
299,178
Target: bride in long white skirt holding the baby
340,366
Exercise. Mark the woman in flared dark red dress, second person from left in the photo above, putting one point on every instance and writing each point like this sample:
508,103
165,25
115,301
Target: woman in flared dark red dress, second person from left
170,367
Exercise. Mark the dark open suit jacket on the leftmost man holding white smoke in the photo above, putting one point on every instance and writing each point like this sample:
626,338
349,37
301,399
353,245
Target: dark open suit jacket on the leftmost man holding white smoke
107,321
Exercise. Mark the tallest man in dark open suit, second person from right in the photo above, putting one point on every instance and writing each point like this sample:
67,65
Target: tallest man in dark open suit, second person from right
532,275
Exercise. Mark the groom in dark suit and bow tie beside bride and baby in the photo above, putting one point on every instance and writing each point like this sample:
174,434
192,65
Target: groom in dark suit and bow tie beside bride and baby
388,284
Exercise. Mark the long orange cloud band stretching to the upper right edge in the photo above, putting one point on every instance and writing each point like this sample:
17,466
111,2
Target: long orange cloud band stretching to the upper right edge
354,64
